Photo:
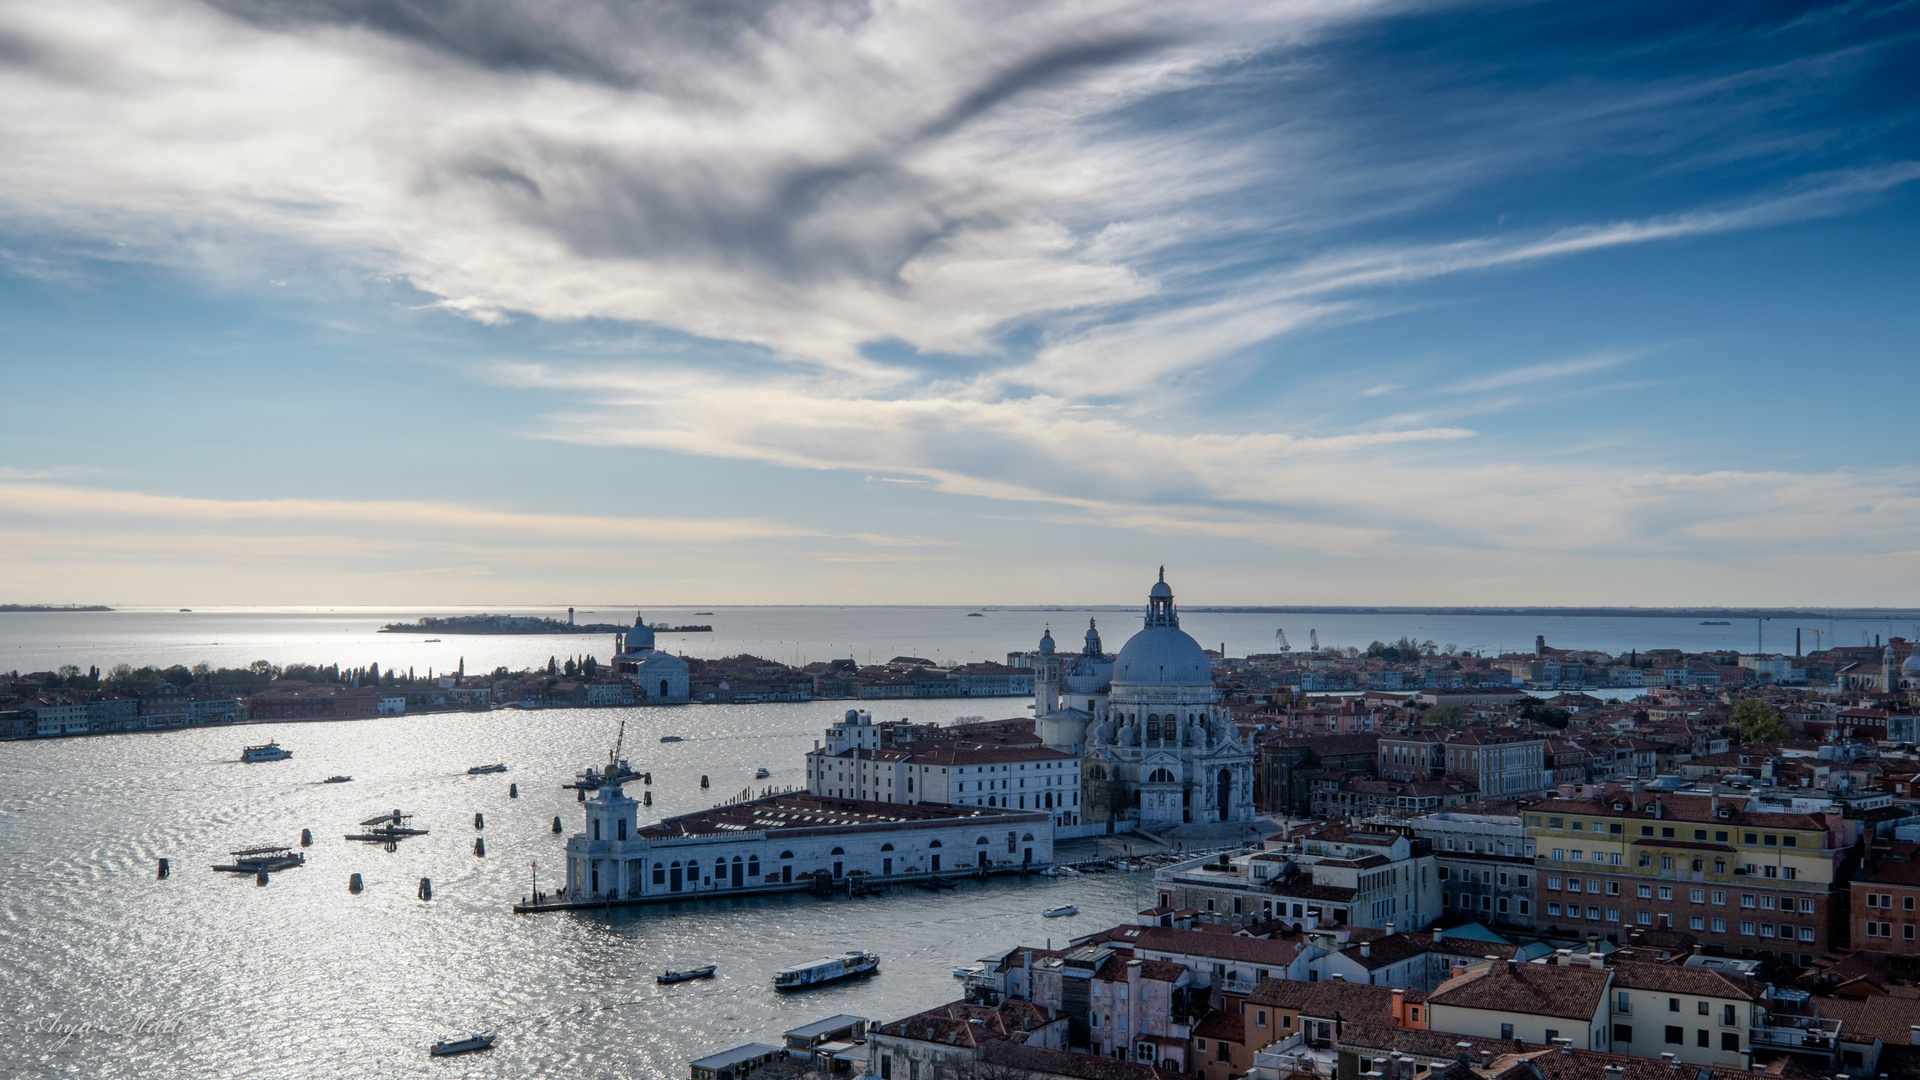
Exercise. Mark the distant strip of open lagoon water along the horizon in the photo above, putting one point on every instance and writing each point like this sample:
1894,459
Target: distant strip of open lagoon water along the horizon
235,637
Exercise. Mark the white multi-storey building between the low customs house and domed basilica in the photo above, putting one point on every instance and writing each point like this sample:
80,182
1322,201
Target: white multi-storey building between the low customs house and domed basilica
861,762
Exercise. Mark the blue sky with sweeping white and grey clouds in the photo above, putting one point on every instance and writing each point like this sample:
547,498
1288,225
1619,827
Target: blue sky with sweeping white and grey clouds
494,303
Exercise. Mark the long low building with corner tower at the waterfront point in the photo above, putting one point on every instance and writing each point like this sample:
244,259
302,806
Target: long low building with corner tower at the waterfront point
788,843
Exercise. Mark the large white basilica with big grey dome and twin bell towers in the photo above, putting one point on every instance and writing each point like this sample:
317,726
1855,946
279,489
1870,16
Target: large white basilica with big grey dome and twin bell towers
1157,749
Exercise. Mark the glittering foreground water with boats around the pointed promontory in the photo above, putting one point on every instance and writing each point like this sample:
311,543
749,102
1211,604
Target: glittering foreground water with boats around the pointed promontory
210,975
